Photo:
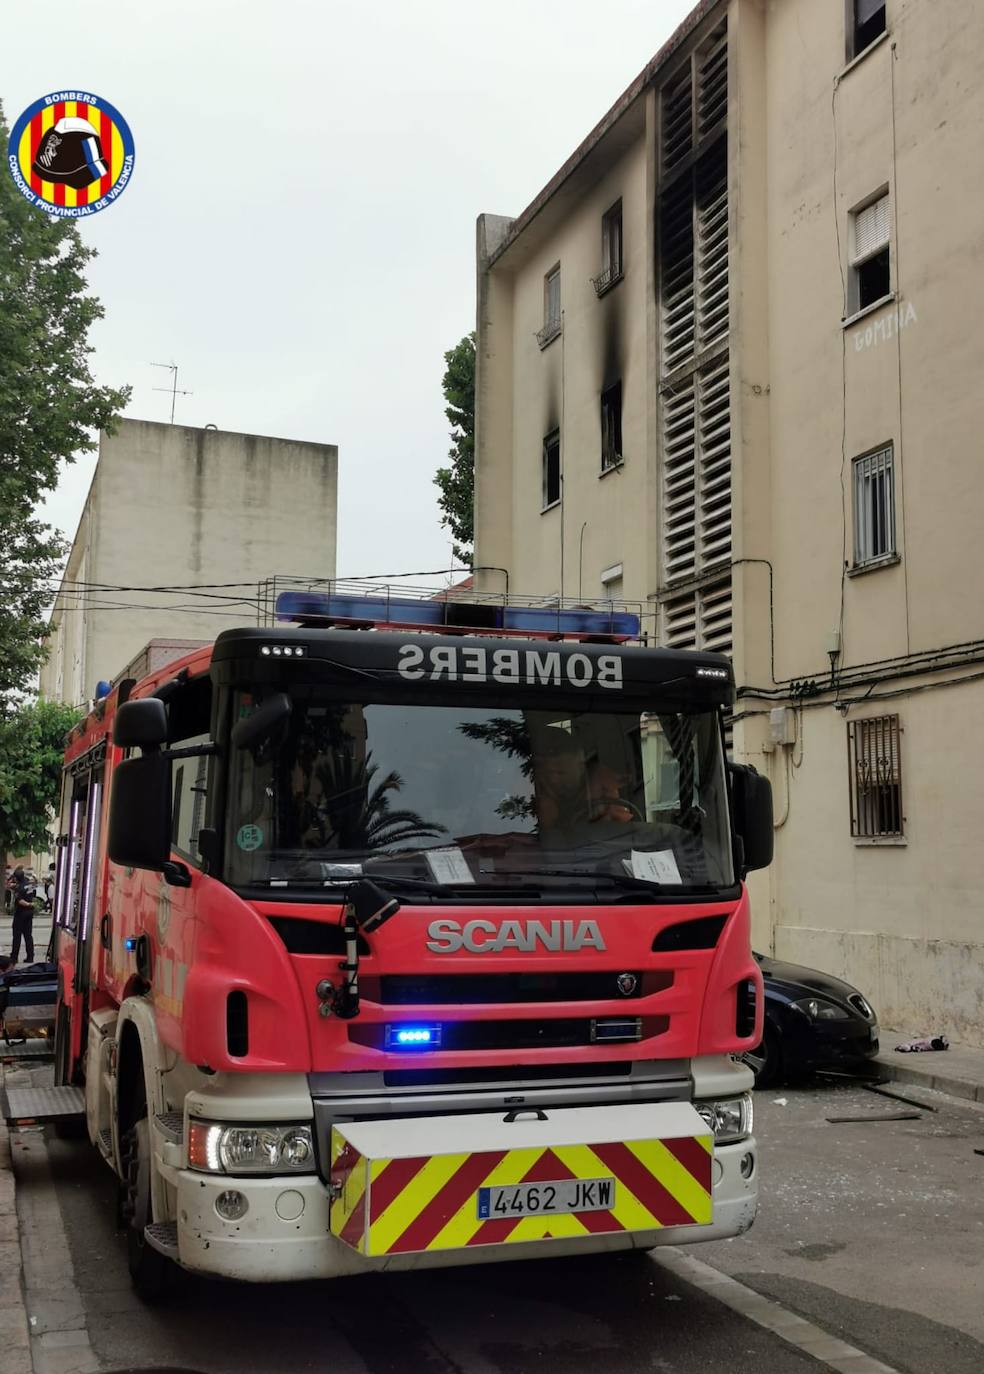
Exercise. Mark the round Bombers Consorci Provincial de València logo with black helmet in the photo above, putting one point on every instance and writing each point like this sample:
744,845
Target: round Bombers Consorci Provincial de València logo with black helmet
71,155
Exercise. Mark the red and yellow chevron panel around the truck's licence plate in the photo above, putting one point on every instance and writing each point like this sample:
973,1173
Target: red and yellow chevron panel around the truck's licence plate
392,1207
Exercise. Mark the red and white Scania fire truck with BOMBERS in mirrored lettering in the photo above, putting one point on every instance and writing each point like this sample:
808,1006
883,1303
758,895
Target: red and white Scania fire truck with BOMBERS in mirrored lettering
413,934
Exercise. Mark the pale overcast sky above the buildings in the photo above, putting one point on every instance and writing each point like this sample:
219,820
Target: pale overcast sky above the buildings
299,234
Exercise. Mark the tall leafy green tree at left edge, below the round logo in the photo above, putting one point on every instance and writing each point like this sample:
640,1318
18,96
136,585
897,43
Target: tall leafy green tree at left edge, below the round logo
50,409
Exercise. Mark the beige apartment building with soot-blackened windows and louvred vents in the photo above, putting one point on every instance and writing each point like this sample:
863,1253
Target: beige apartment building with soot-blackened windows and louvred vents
728,369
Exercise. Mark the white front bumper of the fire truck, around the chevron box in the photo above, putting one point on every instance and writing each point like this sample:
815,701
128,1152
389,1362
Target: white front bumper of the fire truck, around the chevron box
287,1232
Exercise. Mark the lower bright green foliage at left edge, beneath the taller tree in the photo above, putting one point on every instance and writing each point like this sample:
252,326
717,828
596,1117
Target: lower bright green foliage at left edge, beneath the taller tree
32,744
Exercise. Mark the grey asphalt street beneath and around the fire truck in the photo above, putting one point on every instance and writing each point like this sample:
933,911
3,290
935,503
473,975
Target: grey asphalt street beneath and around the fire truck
875,1232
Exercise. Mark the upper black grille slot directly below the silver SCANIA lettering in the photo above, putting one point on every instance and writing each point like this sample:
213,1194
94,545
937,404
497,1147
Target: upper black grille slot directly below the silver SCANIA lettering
405,990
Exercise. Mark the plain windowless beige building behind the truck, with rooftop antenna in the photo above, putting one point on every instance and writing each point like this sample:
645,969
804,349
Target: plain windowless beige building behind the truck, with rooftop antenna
210,515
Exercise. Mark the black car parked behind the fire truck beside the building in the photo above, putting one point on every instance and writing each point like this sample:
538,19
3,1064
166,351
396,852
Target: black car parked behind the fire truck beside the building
813,1022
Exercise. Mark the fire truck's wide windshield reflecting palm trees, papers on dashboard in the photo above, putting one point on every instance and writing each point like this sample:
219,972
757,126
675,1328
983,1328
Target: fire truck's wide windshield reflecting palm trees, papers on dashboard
479,795
